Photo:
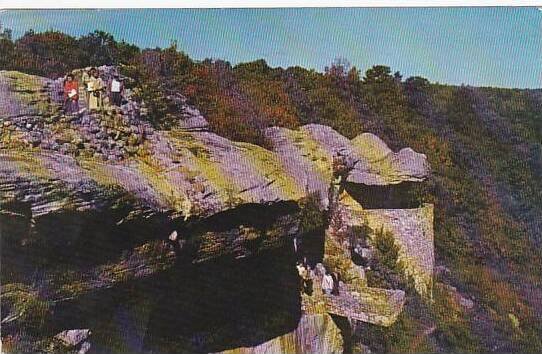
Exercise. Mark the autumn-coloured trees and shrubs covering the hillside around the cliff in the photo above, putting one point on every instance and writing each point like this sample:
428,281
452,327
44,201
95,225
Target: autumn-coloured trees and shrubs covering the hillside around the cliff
484,146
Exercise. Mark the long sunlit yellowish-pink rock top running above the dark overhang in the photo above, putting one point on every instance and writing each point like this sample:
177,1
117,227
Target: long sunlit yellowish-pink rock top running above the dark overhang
56,162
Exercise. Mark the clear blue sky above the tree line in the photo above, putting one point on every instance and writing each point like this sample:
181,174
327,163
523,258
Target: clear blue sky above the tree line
476,46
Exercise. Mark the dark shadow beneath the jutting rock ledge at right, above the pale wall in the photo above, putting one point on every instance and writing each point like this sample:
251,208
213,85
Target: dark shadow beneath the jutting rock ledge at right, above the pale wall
404,195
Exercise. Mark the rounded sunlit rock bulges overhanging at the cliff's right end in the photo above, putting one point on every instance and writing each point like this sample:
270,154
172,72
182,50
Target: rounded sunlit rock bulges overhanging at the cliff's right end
367,157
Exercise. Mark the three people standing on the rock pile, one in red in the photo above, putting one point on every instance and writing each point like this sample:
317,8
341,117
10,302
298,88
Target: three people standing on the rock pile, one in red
95,91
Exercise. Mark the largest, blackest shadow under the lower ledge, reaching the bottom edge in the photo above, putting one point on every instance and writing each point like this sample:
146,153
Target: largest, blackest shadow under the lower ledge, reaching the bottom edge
214,306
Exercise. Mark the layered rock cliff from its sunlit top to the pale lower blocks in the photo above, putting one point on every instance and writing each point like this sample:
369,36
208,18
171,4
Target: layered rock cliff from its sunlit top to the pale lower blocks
164,199
